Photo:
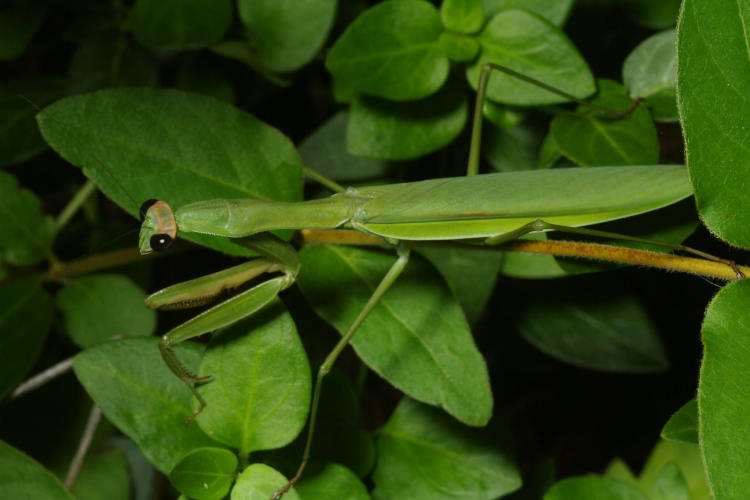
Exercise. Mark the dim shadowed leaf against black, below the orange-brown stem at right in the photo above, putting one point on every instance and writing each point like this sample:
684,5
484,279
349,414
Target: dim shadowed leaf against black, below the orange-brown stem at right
606,331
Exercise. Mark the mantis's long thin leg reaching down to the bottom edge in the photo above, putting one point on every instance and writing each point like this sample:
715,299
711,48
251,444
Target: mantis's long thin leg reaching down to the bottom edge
388,280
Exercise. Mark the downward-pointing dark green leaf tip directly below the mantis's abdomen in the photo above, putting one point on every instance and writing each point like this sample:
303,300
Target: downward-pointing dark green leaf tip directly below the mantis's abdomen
470,274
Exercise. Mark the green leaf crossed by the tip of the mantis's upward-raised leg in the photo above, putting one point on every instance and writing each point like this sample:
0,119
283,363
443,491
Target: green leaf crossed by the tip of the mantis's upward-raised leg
589,139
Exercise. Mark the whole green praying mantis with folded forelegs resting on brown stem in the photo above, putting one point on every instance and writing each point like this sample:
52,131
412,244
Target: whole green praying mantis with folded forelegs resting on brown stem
472,211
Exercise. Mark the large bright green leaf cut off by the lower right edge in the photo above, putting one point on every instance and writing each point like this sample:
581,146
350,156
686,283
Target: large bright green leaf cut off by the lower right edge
724,392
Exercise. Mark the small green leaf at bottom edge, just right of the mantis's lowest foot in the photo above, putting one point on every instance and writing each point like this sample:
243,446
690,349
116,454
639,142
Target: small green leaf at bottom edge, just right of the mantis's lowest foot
335,482
